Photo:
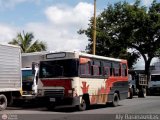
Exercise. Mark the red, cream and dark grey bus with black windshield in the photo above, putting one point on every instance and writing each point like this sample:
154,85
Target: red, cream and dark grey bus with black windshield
80,79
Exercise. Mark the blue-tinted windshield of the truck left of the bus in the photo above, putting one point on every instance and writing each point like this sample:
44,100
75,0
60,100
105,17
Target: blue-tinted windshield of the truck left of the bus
27,75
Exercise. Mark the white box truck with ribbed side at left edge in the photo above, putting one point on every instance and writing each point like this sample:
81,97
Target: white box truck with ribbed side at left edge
10,74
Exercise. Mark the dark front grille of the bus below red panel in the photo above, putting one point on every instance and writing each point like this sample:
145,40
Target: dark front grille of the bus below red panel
54,93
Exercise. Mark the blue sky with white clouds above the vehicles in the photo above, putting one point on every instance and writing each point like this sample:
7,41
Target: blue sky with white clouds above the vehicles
55,22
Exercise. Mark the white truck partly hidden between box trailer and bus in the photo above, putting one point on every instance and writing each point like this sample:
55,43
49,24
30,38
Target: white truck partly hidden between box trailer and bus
30,62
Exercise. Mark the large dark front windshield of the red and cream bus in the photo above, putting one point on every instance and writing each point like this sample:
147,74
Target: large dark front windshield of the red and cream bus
59,68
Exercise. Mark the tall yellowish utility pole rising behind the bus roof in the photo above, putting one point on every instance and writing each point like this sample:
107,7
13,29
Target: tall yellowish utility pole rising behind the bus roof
94,29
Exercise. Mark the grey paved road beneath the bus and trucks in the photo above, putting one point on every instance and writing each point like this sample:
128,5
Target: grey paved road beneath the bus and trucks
150,106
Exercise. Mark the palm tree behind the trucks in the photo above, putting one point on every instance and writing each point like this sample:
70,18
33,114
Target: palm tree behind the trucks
25,41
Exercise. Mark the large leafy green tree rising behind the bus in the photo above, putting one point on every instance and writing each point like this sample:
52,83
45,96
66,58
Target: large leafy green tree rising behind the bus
123,26
